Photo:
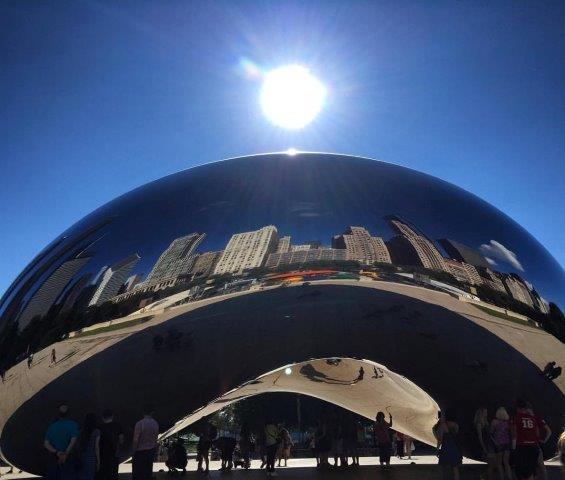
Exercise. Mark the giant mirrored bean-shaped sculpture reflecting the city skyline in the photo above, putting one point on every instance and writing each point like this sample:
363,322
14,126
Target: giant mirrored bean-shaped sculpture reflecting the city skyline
362,283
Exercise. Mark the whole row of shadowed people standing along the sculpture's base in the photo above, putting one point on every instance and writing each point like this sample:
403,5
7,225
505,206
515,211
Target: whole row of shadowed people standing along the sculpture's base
509,440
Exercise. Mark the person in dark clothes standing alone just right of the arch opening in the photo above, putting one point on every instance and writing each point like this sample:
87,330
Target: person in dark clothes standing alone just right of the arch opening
446,432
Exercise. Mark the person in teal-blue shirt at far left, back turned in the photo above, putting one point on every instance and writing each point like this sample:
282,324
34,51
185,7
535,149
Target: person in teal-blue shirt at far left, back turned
59,441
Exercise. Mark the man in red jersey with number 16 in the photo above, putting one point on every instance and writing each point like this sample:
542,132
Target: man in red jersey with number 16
527,430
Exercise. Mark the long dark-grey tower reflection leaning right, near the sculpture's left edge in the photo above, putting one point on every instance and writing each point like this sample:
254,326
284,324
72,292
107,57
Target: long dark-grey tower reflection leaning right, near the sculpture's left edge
42,300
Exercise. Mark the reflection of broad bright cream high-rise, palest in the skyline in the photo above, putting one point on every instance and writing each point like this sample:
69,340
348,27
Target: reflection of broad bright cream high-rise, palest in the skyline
247,250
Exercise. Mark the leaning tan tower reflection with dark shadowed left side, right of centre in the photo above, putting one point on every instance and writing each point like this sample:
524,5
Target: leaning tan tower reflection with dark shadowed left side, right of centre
411,247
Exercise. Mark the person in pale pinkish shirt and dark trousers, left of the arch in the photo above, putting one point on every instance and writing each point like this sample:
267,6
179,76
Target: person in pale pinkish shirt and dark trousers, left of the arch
144,446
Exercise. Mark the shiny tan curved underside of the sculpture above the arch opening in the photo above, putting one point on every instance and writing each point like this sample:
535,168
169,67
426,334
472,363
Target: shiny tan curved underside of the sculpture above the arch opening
361,386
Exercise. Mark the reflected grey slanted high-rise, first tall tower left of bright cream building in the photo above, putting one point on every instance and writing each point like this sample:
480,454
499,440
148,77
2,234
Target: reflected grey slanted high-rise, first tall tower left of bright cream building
177,259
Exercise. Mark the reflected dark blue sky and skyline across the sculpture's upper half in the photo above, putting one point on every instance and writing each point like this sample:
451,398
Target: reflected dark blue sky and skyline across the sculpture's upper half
290,212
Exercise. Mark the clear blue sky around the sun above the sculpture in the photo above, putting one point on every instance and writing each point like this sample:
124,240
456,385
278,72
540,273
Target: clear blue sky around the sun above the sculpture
100,97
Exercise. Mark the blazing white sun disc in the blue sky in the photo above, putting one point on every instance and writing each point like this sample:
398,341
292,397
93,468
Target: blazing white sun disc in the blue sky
291,97
